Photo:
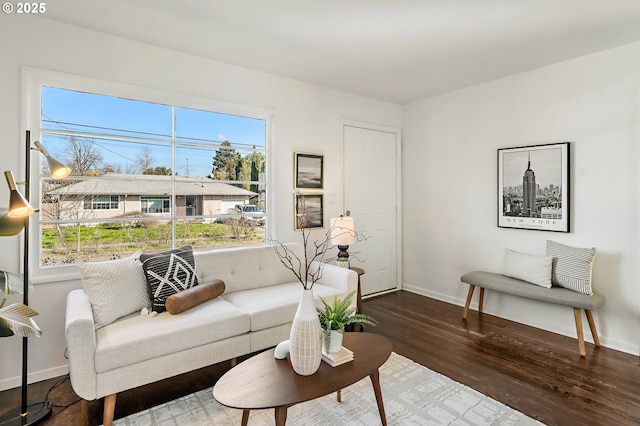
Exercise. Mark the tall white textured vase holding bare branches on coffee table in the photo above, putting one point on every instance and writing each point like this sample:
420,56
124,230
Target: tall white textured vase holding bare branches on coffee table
305,346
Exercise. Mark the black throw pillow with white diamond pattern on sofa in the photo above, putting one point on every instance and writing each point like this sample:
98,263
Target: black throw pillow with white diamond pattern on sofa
168,273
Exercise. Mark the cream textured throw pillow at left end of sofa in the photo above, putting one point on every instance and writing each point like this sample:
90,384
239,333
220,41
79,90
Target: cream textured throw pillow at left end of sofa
116,288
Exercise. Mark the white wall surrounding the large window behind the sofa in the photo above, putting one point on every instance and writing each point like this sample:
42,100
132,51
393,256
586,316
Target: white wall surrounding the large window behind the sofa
307,118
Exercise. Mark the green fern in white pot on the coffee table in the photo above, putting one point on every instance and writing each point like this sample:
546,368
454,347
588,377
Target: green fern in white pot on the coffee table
335,316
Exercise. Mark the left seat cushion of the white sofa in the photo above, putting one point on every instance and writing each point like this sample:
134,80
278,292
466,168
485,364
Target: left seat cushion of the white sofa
138,338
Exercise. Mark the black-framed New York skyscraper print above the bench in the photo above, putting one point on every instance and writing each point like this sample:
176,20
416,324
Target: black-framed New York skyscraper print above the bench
533,187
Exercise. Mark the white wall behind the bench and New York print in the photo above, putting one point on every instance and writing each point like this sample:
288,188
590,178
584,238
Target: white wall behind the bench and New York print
450,185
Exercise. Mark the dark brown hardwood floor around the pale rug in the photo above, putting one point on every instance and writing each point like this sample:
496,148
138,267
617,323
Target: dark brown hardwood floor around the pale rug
536,372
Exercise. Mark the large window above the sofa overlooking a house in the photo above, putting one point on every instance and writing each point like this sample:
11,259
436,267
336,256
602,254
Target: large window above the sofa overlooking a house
151,171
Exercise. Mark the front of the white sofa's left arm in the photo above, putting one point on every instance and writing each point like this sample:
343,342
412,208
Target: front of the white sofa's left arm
81,344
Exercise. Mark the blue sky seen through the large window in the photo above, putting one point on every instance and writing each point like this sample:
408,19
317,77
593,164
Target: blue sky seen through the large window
151,124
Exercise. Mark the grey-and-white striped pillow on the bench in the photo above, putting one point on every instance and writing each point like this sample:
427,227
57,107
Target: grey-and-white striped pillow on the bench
572,266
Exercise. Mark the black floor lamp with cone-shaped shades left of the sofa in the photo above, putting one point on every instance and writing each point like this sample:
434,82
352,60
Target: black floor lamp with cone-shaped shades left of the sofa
19,211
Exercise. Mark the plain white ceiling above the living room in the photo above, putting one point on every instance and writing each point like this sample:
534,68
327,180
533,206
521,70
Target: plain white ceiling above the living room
393,50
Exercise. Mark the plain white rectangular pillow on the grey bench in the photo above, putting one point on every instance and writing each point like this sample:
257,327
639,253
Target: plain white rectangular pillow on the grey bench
534,269
